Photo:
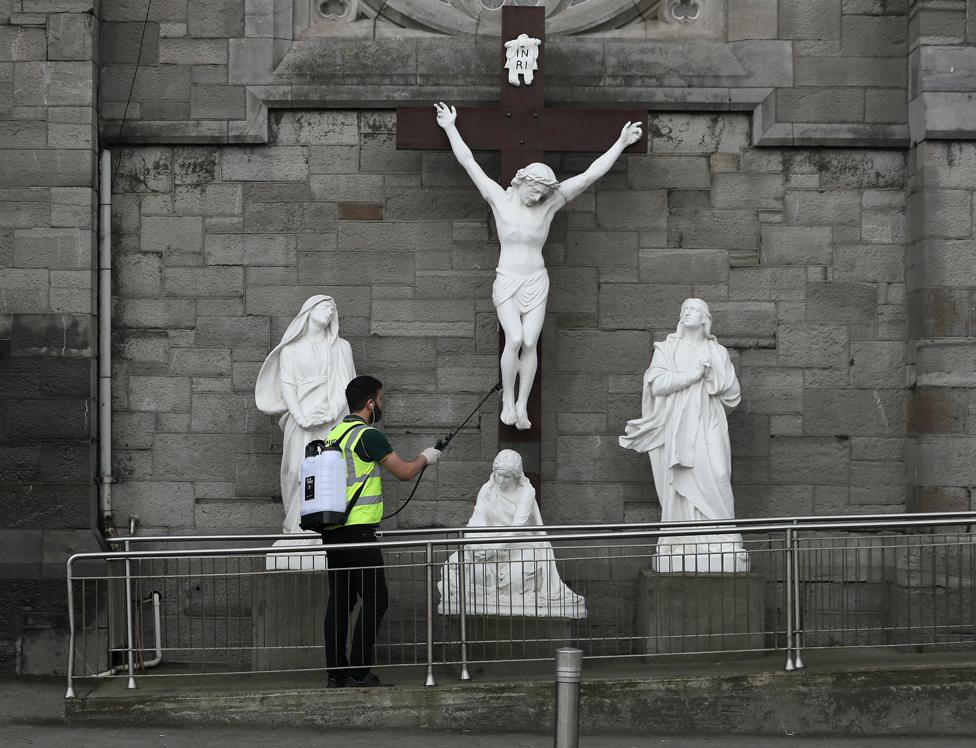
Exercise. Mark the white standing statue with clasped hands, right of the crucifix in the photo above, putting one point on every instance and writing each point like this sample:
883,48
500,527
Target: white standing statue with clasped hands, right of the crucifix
687,390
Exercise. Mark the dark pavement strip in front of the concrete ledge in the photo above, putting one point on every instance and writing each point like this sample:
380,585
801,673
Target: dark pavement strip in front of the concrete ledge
31,714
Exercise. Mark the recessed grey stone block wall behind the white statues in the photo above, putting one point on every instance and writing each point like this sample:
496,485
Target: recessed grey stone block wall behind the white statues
799,254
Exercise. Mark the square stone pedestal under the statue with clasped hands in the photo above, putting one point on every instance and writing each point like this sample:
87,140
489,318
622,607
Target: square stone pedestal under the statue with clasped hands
687,613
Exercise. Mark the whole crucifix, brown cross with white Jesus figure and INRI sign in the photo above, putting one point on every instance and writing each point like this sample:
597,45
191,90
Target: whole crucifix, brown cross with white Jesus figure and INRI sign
522,129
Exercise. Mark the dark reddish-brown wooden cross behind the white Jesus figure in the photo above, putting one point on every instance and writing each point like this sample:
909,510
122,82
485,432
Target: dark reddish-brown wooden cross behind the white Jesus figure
521,129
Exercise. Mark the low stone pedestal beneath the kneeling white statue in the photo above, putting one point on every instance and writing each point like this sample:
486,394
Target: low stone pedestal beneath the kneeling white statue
510,638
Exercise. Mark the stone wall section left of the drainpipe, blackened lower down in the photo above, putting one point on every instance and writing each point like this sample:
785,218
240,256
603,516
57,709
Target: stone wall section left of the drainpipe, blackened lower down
47,324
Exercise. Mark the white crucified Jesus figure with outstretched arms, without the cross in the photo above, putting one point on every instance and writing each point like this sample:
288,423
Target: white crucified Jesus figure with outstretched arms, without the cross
523,214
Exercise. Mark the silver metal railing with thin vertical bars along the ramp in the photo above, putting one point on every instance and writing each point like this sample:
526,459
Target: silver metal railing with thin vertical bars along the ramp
814,582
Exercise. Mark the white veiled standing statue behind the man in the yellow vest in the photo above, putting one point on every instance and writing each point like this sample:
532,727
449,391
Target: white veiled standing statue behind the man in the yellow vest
304,381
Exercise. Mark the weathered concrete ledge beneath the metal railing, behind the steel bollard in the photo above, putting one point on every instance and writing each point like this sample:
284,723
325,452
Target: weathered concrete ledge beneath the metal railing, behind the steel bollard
925,695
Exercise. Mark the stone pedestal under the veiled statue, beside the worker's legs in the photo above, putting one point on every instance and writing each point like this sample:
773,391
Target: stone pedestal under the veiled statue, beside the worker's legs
287,616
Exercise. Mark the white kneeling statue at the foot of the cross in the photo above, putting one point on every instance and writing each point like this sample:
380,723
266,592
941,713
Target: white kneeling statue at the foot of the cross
513,579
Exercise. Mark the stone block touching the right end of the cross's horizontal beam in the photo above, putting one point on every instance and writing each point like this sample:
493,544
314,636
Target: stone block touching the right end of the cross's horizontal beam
698,133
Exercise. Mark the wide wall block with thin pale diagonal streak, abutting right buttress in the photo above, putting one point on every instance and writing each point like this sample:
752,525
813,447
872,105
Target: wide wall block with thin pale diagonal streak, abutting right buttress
854,412
